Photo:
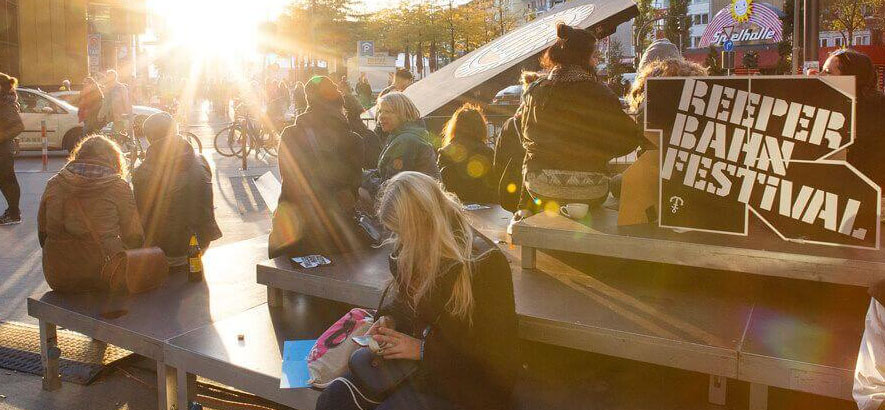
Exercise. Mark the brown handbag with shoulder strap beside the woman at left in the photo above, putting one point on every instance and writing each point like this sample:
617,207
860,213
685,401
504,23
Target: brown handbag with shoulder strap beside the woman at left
131,270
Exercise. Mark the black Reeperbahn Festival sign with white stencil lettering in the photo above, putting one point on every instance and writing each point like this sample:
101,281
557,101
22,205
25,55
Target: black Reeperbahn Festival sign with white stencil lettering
731,146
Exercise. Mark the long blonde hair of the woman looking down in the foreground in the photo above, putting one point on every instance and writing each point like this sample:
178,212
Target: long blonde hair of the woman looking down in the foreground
429,227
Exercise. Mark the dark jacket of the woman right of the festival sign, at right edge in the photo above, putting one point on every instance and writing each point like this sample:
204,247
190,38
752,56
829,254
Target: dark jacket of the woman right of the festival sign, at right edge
868,151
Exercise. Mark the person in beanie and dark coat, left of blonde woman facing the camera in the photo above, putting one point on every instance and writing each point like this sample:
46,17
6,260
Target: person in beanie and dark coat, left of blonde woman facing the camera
321,168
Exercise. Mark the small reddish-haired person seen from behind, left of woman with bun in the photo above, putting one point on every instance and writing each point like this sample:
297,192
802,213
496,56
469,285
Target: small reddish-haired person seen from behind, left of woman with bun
465,159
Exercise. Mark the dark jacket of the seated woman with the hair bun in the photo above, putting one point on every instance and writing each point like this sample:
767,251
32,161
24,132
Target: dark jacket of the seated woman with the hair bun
575,126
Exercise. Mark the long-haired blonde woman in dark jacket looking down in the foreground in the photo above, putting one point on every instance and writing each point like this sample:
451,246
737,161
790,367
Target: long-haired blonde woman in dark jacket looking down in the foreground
453,311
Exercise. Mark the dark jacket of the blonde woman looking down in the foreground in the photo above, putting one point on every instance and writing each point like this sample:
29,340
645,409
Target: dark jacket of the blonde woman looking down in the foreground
473,366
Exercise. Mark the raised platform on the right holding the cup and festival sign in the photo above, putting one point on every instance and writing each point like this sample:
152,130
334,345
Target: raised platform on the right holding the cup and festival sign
761,252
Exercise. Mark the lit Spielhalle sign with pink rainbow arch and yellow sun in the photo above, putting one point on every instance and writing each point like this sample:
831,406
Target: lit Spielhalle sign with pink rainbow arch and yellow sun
744,22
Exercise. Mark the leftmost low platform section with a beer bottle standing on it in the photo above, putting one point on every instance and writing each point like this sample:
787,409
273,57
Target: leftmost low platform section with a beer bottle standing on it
142,323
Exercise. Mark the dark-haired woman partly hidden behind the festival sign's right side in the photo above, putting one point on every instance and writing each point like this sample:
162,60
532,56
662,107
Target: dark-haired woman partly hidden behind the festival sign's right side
868,151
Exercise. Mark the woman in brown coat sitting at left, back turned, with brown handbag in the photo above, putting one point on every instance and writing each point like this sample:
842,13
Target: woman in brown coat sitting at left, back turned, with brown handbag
87,213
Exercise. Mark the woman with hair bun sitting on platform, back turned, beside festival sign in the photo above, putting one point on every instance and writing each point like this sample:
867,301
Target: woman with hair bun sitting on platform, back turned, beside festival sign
572,125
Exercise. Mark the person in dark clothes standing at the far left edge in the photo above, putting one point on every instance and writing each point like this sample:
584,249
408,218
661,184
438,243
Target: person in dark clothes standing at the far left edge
10,126
